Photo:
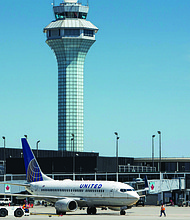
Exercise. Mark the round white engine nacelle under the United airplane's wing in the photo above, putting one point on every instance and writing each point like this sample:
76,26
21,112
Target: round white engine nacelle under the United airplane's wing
66,205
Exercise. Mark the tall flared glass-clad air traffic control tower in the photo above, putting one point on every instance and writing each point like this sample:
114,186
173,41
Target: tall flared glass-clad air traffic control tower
70,36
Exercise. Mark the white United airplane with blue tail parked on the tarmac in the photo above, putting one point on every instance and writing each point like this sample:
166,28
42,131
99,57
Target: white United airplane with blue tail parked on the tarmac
68,195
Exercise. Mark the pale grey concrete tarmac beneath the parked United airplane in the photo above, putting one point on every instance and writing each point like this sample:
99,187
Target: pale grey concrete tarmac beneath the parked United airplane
144,213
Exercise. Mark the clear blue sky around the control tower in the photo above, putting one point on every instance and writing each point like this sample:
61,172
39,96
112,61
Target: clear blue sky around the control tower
136,78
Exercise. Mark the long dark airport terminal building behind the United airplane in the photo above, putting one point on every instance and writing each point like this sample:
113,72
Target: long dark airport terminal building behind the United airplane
172,182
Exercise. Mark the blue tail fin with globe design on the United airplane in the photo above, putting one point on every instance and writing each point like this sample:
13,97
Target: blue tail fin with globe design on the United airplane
33,171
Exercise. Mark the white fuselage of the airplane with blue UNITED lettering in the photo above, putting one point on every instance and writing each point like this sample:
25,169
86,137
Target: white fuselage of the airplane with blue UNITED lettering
87,193
